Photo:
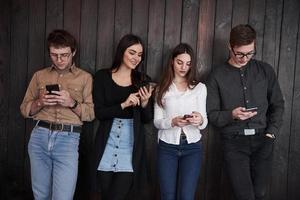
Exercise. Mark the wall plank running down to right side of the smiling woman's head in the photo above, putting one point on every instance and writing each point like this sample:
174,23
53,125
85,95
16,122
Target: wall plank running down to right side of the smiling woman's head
140,13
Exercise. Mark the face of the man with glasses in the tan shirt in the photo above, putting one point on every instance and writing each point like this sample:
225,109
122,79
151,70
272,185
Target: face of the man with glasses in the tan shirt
62,57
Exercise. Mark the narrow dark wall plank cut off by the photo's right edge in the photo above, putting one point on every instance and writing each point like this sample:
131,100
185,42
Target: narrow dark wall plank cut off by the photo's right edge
294,153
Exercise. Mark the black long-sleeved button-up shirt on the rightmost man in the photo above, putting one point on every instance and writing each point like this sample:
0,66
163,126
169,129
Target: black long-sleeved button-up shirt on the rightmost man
253,85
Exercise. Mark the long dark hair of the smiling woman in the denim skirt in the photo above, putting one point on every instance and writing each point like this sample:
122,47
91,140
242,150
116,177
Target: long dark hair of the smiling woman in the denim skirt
125,42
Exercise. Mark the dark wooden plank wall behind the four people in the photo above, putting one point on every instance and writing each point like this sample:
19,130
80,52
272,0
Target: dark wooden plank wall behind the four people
98,25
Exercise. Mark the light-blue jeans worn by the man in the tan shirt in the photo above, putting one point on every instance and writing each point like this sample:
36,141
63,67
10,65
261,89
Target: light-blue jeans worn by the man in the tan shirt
53,160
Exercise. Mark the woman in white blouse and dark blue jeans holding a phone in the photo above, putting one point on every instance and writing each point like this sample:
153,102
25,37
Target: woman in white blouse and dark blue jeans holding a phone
180,115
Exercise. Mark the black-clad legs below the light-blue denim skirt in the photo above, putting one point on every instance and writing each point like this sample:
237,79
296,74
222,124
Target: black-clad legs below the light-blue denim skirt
114,186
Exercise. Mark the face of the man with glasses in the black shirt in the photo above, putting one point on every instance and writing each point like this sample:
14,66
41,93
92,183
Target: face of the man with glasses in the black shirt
240,56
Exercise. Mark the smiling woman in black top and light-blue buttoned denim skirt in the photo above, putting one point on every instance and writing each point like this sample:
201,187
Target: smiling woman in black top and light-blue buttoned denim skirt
121,106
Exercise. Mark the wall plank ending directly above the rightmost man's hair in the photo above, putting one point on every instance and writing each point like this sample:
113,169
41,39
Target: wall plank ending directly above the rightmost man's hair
240,12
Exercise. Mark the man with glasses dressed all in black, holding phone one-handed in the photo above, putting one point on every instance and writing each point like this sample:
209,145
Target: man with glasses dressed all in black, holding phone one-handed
246,103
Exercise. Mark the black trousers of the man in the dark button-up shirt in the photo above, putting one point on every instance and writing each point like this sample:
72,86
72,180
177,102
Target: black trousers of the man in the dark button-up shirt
248,162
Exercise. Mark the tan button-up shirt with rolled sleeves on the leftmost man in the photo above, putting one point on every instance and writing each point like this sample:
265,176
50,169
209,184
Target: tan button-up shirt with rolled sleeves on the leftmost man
76,81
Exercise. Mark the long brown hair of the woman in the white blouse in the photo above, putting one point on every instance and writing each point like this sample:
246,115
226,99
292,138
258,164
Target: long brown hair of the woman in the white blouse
192,77
